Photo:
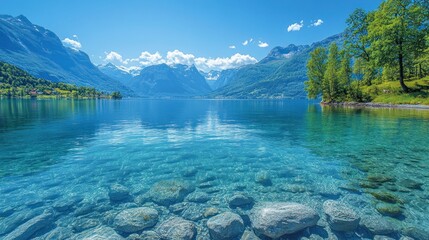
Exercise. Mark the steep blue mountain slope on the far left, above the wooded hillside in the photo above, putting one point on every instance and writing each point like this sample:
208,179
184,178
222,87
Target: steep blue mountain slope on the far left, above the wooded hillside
41,53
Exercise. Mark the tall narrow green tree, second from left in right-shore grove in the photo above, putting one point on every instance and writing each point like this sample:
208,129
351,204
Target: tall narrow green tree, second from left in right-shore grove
330,84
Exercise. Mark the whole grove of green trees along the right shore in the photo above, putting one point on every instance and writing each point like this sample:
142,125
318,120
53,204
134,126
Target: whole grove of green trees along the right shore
388,44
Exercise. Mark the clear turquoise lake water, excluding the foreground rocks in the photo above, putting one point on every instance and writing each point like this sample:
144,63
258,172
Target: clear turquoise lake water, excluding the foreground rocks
55,152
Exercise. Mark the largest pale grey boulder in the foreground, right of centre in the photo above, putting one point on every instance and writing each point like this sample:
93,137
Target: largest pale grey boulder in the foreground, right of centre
277,219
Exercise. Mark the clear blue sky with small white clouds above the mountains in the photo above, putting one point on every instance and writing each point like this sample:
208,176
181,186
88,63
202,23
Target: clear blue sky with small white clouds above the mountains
204,32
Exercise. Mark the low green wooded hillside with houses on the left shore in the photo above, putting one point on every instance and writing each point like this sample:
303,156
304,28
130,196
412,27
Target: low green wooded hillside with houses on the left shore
15,82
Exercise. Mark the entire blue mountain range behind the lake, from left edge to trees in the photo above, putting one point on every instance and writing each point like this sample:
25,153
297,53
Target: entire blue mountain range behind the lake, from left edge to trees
281,74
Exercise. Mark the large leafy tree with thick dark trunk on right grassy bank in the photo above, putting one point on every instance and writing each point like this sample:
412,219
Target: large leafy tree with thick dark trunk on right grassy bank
396,34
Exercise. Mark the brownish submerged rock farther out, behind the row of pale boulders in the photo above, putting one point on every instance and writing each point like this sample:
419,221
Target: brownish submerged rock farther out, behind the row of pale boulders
170,191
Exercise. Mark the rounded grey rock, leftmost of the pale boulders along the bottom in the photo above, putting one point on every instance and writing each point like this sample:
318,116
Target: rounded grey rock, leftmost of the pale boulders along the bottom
135,219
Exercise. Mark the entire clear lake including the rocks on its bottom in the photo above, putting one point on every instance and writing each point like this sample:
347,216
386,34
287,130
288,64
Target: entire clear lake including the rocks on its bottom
140,169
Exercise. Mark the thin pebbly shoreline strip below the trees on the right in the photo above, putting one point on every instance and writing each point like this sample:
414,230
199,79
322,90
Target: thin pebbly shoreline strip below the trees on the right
376,105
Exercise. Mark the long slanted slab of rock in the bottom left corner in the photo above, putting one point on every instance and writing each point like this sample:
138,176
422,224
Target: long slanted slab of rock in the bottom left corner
26,230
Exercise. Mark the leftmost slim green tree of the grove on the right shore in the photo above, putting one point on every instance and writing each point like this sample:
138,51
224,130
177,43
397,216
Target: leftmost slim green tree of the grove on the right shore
316,68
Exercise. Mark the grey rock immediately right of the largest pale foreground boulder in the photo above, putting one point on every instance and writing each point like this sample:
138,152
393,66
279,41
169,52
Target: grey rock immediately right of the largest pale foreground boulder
340,217
